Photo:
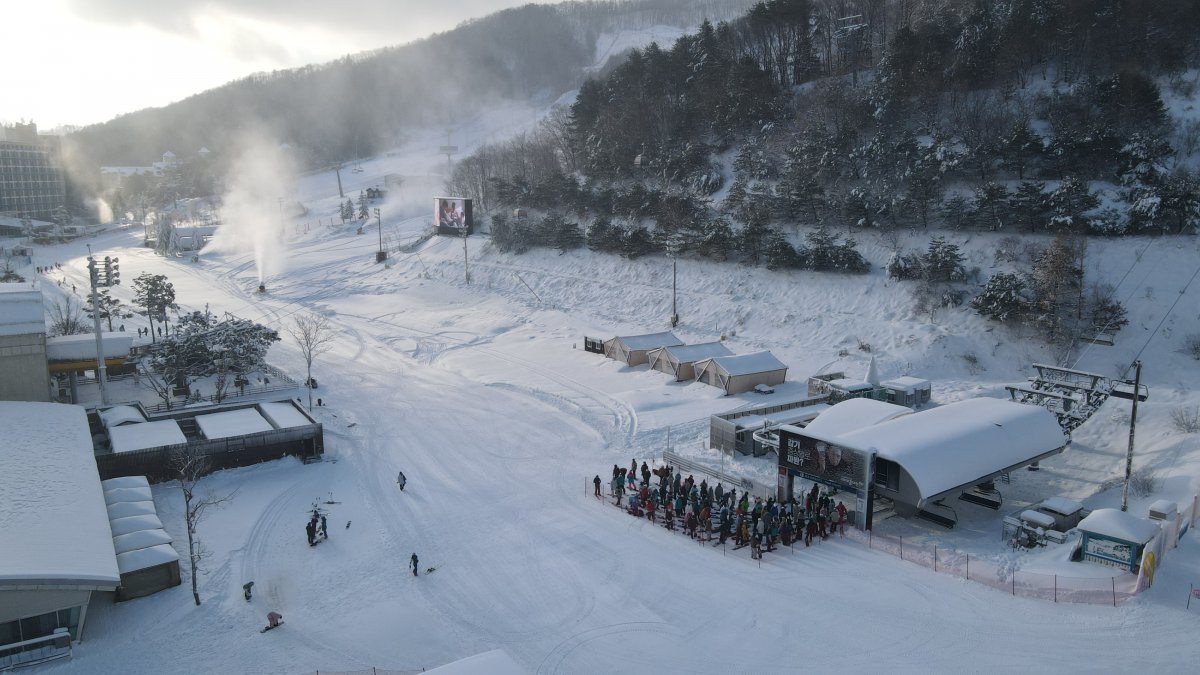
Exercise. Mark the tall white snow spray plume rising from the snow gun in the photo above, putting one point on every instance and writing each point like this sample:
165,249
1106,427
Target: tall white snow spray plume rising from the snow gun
259,188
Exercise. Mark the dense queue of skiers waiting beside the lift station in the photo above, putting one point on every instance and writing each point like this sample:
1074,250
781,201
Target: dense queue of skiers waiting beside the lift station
711,511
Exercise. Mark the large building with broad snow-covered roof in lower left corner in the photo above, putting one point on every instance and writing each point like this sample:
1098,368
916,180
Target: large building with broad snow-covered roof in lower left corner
56,545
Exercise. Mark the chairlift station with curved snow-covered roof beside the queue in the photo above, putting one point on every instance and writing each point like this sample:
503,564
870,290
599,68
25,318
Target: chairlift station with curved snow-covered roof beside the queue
917,461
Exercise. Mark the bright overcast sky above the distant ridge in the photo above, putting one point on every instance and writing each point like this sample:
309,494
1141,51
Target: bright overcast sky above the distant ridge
83,62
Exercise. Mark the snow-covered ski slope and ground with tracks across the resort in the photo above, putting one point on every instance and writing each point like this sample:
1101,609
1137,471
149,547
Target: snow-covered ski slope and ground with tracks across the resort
483,396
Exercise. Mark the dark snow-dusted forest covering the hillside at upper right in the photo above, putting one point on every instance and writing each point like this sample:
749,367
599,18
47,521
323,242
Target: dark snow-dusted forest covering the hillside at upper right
758,139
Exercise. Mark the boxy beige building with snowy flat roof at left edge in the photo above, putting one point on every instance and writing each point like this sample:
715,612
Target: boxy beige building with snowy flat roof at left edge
23,373
